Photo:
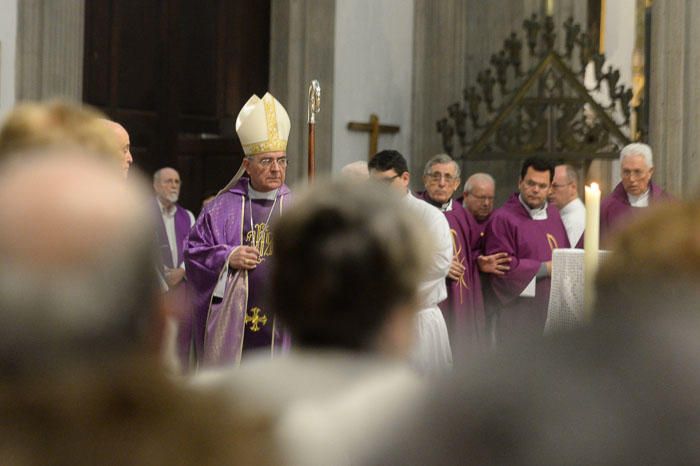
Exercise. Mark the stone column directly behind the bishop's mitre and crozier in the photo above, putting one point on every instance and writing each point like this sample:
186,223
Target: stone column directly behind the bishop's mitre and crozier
302,47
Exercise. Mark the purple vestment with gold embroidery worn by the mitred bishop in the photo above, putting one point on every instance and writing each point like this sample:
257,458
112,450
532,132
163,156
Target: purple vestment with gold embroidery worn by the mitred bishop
239,320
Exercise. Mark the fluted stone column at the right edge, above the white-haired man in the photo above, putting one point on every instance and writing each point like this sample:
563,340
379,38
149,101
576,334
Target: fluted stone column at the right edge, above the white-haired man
674,126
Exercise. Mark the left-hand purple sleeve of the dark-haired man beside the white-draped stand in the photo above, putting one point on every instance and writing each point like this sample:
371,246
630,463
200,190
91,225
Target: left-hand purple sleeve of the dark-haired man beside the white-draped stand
501,236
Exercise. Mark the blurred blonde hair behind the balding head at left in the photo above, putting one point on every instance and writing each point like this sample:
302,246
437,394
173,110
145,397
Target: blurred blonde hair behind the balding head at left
57,123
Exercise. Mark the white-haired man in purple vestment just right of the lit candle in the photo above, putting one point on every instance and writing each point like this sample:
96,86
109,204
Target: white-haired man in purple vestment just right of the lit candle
635,192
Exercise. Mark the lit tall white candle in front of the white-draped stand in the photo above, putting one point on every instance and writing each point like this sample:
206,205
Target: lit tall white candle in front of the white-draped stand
591,241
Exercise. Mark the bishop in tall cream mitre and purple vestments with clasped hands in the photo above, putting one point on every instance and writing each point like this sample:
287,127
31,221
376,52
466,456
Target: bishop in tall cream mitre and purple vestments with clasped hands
230,244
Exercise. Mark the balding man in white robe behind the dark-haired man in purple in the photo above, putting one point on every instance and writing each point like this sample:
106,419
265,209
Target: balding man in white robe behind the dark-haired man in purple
564,196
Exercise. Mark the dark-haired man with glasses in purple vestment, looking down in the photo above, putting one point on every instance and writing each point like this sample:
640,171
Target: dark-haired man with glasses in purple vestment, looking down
528,229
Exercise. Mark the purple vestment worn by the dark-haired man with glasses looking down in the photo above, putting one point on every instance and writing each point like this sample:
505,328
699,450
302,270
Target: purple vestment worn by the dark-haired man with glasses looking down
529,243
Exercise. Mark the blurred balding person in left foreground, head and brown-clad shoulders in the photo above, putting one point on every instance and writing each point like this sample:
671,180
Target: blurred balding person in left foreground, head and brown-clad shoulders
79,382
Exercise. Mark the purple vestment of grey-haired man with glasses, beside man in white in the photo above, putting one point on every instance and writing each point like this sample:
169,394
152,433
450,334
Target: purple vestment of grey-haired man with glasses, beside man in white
464,307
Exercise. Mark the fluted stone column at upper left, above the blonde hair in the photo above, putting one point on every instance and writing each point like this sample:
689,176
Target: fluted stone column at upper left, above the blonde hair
50,39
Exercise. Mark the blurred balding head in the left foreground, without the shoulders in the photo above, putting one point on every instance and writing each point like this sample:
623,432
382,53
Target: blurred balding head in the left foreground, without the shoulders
76,279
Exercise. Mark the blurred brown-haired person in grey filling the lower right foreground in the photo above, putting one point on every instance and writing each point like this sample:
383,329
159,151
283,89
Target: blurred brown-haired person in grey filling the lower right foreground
624,390
